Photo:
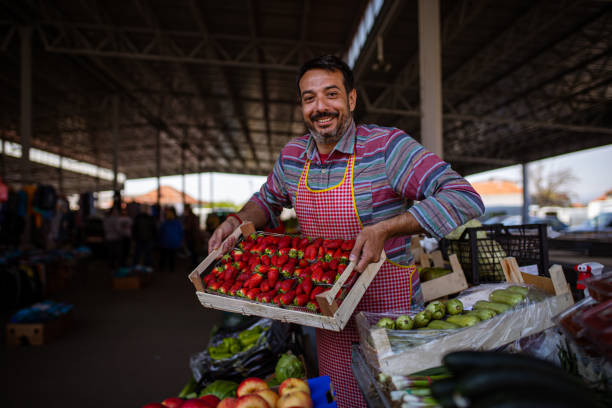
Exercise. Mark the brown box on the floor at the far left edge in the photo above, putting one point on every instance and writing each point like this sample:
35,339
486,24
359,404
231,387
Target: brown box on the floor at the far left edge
37,334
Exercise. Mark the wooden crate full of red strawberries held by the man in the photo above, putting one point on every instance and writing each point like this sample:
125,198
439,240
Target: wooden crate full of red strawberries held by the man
296,279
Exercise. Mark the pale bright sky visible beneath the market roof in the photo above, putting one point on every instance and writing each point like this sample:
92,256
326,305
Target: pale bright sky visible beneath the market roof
591,167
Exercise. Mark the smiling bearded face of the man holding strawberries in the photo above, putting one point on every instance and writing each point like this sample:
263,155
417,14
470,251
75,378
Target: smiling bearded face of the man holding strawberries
326,106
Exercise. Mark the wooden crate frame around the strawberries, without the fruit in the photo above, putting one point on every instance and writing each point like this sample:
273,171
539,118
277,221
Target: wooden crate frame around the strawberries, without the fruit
332,317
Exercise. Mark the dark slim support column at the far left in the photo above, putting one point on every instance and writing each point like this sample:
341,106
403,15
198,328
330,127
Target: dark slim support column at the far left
26,101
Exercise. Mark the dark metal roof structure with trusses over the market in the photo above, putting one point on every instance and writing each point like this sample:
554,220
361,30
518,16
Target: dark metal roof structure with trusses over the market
210,86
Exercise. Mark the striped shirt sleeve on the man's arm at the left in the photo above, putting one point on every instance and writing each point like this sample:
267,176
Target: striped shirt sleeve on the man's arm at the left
272,196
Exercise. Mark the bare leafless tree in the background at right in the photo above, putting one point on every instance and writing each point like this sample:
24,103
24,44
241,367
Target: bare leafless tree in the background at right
551,187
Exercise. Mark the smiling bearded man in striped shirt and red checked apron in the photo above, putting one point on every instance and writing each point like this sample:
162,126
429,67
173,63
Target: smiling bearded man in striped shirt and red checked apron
348,181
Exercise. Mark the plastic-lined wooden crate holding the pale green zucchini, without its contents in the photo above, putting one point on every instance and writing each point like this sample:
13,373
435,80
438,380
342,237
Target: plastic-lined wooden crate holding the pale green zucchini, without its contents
489,334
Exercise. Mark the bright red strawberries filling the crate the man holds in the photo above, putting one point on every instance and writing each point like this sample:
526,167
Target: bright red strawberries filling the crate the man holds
282,270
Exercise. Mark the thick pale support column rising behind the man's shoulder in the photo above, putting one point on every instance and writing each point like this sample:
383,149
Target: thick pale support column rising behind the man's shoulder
430,76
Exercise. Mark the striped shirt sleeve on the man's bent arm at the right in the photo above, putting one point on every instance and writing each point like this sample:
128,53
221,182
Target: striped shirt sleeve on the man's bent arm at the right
444,199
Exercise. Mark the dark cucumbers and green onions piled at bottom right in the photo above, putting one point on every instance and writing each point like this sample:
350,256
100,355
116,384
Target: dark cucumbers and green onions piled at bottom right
488,379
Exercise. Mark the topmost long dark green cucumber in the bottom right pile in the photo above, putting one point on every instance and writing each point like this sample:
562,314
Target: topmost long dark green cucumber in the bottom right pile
485,382
